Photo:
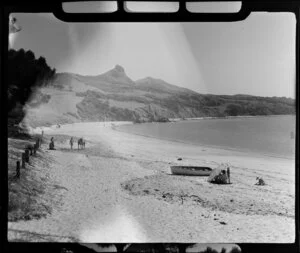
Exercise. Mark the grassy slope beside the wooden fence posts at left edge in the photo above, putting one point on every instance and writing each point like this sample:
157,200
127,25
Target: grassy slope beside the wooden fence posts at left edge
27,194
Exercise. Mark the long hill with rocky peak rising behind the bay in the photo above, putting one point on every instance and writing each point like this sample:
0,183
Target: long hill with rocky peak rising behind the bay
114,96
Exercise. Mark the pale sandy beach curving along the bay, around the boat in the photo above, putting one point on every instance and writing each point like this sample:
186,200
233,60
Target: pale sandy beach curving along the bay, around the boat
120,189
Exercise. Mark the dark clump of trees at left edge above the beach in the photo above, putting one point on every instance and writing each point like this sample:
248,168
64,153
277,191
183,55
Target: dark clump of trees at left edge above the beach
25,73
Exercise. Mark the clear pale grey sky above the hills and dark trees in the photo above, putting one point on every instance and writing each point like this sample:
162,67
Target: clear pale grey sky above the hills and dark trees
255,56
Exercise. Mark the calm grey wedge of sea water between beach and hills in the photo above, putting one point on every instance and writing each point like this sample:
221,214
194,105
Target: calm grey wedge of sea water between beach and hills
265,135
